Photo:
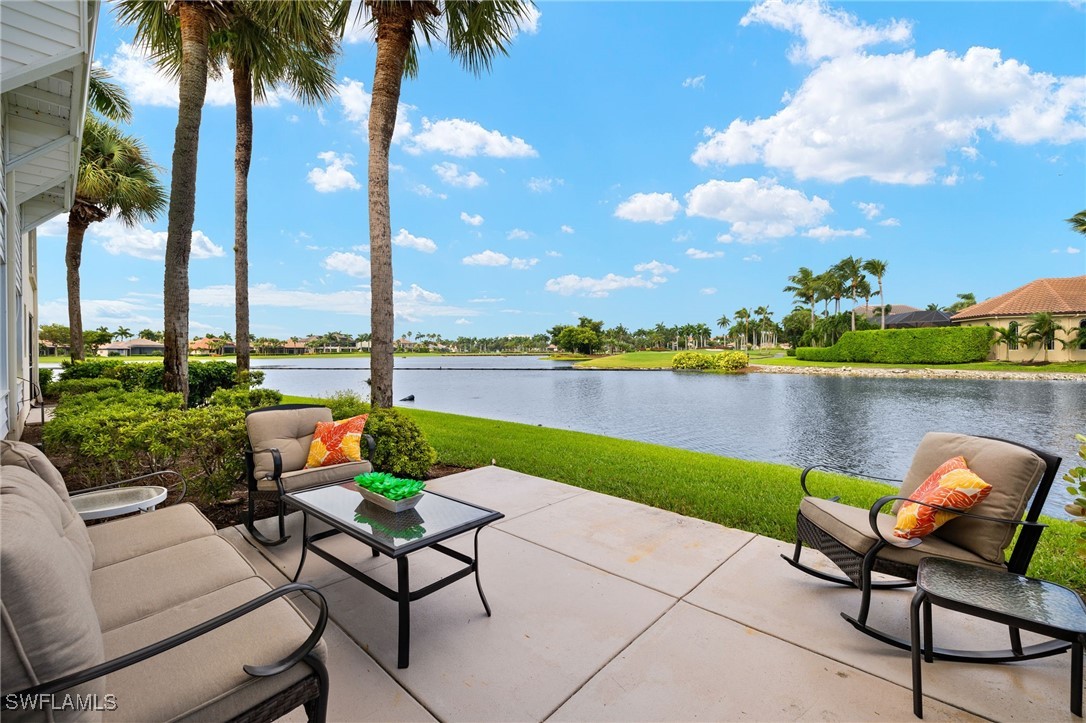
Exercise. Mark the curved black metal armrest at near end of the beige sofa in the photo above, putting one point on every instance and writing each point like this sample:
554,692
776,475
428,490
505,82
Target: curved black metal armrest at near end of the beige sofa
193,633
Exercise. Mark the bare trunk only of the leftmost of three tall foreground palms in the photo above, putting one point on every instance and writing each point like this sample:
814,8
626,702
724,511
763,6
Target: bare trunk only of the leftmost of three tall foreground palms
194,86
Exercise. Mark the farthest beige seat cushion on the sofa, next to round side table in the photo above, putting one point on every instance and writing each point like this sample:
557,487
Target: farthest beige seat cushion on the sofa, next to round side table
140,535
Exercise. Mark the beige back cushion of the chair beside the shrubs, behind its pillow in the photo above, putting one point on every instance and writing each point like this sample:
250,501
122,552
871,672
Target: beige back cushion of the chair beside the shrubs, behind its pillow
291,432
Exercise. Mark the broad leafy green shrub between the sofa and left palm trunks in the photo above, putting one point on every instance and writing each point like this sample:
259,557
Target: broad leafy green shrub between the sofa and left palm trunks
116,435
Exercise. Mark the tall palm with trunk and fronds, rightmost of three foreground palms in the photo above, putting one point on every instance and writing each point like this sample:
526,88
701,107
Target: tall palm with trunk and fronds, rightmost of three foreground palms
475,33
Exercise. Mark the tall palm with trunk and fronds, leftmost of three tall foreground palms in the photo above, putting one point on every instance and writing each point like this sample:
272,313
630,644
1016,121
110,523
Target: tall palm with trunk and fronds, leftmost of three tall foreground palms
171,30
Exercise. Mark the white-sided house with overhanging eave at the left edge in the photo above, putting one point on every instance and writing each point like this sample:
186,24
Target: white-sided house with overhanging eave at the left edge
46,53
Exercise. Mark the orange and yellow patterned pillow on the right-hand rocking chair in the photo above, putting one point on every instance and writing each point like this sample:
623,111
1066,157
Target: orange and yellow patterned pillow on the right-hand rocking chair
953,485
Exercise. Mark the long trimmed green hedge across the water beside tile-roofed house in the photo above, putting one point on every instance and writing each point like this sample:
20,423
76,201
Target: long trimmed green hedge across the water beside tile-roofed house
933,346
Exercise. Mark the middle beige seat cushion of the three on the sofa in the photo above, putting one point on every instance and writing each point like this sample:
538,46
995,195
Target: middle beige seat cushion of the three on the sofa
144,586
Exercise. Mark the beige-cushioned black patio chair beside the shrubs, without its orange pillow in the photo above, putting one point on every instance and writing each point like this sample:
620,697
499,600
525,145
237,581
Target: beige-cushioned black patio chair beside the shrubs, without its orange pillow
280,440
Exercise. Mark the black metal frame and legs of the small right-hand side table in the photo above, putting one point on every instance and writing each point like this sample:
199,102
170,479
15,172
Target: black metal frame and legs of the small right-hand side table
923,602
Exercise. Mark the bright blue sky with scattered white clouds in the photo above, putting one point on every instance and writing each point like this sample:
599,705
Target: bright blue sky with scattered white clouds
635,163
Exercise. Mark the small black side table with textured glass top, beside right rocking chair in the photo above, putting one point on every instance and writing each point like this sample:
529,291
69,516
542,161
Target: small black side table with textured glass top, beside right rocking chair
1003,598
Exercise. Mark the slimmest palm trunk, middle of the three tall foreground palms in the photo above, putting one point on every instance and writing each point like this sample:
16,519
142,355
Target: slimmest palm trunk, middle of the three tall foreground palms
243,158
